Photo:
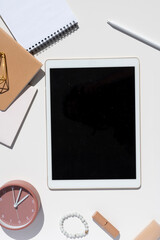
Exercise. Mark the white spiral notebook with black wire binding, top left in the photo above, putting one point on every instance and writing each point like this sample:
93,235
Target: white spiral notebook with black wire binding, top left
38,23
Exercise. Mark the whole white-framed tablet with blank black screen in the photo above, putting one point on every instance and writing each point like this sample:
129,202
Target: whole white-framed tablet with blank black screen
93,123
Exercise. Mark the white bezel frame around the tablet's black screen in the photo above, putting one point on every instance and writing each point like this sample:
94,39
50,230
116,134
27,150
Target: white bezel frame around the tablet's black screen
93,184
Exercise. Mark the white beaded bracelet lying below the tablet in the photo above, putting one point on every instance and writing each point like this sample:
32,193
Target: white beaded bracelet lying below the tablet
76,235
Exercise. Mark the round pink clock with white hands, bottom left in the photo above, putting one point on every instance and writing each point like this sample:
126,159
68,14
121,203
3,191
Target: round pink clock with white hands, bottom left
19,204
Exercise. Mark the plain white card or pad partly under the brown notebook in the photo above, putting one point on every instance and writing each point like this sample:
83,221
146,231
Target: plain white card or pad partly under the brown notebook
11,120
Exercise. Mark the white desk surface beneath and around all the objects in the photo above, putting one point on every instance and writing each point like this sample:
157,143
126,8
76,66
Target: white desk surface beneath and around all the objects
129,210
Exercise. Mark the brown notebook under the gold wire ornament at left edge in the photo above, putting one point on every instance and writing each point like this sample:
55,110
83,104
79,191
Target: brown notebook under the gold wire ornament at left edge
21,68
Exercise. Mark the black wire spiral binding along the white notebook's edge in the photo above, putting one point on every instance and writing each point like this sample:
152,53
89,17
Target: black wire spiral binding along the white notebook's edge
54,37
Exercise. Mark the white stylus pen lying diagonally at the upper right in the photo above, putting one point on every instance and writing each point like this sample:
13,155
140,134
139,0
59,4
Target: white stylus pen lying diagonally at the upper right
134,35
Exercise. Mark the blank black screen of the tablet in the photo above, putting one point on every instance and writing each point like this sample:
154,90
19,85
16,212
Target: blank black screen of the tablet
93,123
